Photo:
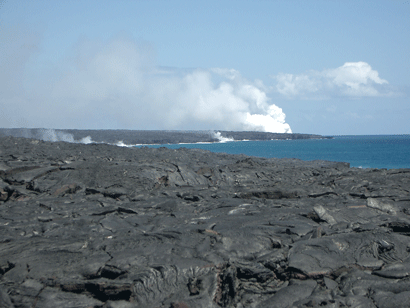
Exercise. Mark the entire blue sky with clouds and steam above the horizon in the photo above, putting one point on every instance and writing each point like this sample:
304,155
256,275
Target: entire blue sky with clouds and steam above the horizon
321,67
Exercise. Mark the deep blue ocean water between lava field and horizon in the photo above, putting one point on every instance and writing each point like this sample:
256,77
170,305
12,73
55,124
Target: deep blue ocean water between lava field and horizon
375,151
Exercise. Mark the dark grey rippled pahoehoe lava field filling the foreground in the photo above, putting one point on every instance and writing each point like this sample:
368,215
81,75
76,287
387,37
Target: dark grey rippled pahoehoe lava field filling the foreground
103,226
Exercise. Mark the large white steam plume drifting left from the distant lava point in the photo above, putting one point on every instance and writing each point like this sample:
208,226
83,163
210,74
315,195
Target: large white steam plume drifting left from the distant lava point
117,84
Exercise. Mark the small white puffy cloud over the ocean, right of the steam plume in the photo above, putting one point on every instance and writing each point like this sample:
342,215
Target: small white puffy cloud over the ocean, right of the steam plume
353,79
